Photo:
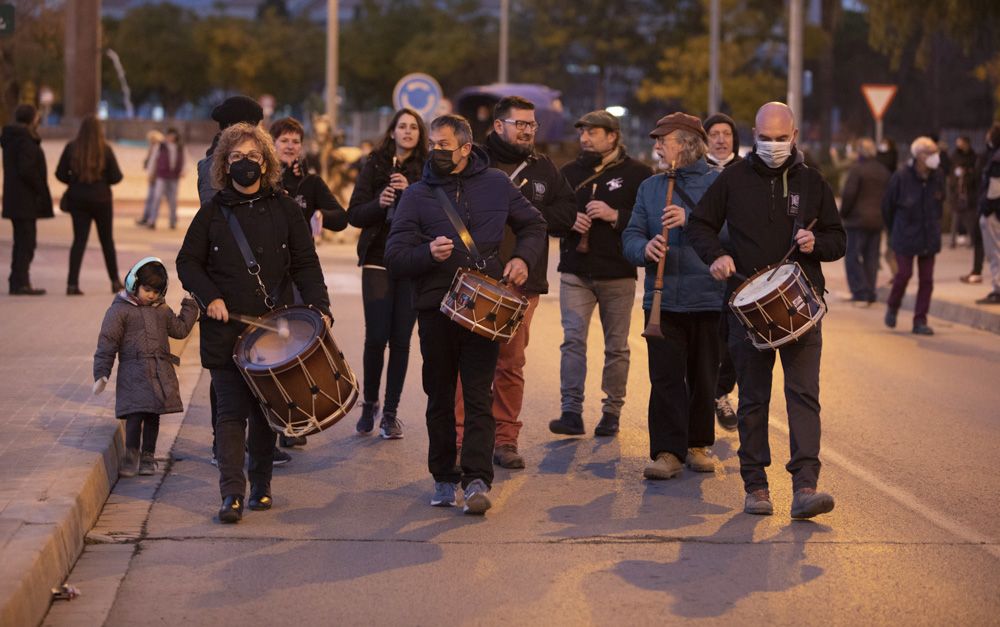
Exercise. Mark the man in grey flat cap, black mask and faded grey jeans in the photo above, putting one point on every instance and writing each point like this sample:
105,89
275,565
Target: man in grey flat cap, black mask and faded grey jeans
594,272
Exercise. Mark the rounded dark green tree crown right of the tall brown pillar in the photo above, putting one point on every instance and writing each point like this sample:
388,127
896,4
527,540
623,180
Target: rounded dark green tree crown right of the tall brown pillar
157,50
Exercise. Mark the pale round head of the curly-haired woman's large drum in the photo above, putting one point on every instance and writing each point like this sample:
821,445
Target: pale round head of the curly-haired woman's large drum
262,349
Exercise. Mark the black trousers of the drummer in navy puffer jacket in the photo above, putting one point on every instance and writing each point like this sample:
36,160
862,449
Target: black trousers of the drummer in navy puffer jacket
450,351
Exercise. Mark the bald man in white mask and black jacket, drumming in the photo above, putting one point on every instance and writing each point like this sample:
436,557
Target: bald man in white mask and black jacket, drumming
766,200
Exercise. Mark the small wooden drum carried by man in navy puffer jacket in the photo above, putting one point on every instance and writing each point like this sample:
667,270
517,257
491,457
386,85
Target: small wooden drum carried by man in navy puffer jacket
484,305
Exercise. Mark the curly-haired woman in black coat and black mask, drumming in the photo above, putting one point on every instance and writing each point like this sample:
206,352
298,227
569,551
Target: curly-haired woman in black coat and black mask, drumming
250,206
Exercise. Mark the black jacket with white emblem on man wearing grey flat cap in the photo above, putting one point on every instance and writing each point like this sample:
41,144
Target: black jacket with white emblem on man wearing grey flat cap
616,185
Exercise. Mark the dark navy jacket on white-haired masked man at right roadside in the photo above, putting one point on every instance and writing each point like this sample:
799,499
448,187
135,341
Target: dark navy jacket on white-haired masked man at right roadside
912,208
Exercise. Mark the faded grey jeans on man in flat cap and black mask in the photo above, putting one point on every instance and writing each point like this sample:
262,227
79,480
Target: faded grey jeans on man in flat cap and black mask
614,299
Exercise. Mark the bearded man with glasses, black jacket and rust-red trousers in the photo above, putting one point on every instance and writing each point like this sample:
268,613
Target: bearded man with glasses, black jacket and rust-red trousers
511,148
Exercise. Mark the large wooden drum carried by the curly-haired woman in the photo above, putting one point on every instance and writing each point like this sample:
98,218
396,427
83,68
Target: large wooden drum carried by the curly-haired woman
302,382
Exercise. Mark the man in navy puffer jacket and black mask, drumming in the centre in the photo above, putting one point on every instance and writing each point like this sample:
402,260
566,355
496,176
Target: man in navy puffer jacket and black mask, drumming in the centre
459,197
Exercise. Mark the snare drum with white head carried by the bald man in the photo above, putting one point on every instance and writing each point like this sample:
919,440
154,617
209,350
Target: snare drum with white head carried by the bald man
777,310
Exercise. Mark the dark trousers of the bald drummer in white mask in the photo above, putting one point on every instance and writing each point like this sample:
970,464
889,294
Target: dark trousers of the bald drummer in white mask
800,363
